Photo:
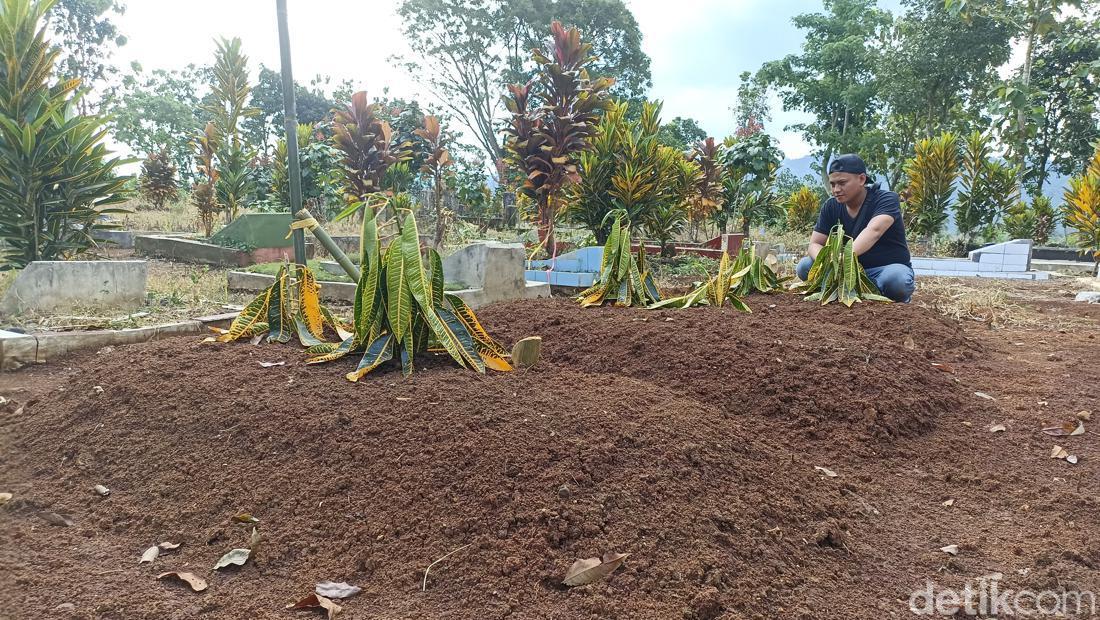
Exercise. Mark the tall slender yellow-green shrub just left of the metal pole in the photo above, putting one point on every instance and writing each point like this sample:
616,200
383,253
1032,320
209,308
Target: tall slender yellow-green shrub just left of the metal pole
229,107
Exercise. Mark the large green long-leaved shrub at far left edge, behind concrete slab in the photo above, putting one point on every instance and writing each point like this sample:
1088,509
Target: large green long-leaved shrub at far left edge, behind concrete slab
58,178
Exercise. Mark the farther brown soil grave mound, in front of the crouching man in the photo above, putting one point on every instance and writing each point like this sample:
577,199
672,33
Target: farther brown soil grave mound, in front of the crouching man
870,368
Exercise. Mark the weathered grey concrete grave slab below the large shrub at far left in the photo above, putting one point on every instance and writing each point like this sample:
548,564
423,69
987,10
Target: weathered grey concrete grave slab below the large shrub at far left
53,286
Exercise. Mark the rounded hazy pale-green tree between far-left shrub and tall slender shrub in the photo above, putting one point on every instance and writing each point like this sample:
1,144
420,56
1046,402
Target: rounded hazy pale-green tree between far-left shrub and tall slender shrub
159,112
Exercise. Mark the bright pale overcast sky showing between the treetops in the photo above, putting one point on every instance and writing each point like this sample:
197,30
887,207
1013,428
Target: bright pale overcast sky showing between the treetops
698,48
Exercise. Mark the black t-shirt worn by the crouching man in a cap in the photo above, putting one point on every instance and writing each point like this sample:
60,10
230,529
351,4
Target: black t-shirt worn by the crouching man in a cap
892,247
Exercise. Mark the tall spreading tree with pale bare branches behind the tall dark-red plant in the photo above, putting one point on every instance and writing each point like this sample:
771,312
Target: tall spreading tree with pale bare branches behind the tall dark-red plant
465,51
